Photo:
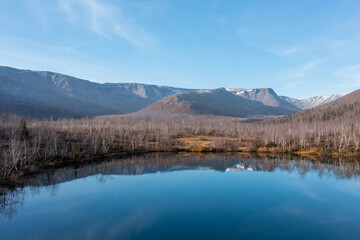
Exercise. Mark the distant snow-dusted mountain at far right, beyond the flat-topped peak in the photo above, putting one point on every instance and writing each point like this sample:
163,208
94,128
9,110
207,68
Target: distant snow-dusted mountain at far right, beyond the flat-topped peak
313,101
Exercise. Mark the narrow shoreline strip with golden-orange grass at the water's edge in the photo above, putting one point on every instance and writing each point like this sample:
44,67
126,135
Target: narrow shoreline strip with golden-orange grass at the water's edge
184,145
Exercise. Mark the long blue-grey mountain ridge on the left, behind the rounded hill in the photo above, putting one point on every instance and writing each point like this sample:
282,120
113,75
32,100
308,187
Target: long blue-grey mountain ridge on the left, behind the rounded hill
44,94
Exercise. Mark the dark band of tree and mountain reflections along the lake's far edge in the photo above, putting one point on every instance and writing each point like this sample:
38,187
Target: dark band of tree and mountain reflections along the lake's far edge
12,199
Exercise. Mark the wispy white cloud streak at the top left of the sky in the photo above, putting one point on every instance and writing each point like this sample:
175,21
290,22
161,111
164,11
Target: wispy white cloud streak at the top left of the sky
106,20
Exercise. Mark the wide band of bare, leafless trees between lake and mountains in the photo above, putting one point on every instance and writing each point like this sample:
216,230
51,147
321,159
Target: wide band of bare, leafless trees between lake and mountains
30,144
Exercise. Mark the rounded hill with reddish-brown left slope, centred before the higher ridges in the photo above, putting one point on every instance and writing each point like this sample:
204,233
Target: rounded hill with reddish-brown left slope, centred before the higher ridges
217,102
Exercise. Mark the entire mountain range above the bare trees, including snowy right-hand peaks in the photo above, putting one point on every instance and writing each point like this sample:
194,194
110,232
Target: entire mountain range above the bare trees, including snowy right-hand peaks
42,94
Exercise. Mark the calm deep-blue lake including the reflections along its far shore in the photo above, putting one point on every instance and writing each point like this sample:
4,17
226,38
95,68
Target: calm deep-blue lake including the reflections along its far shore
186,197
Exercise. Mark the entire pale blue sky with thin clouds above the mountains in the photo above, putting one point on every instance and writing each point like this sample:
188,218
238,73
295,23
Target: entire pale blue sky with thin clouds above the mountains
299,48
